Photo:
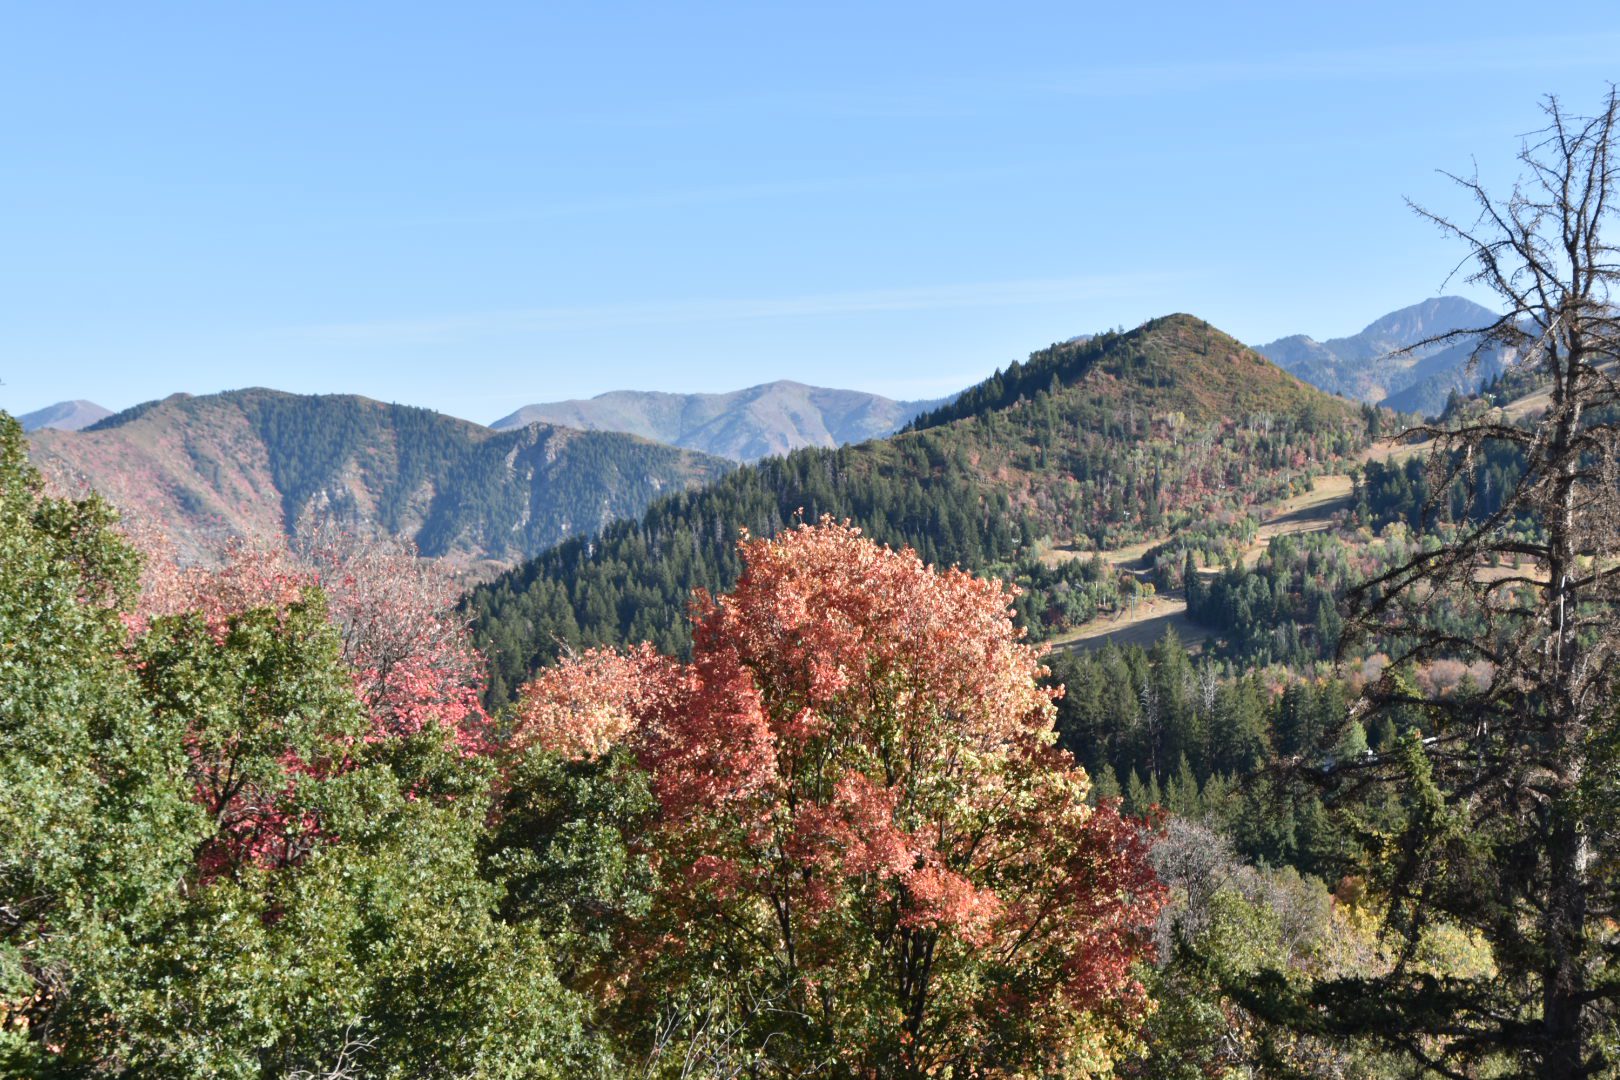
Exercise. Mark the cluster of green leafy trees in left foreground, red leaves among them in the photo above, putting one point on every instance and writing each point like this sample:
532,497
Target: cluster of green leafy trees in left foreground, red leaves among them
211,864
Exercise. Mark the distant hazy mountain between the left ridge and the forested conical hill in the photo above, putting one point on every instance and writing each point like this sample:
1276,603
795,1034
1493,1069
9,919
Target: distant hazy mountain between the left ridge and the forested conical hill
743,425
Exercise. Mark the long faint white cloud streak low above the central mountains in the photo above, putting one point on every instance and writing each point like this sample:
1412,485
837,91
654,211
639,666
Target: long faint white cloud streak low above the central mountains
1012,294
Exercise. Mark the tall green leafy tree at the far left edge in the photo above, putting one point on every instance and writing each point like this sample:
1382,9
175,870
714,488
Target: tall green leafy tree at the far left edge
96,820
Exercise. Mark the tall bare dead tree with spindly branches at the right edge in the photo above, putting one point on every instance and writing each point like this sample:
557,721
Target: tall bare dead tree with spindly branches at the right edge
1511,794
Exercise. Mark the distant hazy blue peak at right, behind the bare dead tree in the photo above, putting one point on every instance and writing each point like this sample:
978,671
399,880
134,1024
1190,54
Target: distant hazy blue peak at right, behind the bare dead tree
1388,365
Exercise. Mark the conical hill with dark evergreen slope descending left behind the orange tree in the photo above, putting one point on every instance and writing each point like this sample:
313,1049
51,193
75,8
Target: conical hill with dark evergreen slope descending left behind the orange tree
1089,444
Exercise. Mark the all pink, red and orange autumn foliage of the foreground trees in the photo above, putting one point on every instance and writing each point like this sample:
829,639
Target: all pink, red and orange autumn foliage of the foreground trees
858,807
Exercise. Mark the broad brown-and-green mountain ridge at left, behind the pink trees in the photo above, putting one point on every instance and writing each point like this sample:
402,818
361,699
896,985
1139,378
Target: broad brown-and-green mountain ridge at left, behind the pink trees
262,462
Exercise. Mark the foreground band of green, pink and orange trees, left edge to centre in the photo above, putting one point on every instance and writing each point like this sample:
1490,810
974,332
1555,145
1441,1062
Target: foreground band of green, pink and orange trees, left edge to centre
258,825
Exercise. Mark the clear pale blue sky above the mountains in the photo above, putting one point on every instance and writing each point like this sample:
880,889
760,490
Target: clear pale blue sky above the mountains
482,205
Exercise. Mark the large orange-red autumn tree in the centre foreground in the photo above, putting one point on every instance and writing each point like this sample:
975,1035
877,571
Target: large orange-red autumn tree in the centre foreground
864,817
